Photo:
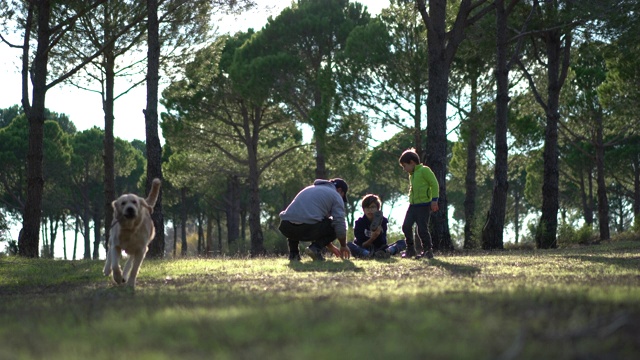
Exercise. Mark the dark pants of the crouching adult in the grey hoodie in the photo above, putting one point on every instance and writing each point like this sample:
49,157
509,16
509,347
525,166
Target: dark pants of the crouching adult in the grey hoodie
319,234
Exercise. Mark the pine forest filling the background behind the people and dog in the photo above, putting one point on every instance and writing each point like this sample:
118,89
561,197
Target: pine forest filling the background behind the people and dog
523,109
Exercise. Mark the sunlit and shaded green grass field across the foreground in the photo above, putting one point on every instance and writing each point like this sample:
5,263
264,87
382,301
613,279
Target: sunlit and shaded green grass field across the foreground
581,302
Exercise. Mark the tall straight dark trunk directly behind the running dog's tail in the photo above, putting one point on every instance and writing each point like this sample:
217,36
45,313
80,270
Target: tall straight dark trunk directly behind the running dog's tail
154,149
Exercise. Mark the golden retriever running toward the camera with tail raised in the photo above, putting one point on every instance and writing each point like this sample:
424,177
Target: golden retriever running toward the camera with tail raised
132,230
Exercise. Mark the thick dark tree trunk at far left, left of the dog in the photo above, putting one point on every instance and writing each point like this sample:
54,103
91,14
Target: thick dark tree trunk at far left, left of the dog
29,239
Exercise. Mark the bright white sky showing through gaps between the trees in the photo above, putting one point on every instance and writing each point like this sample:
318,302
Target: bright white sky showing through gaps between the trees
84,108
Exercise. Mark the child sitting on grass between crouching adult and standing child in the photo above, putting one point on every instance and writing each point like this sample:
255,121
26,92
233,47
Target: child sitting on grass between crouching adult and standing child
370,232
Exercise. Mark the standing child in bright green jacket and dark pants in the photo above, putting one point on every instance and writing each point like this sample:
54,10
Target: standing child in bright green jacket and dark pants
423,199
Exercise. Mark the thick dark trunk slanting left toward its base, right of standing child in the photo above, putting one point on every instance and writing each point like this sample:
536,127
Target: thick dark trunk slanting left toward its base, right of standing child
492,233
